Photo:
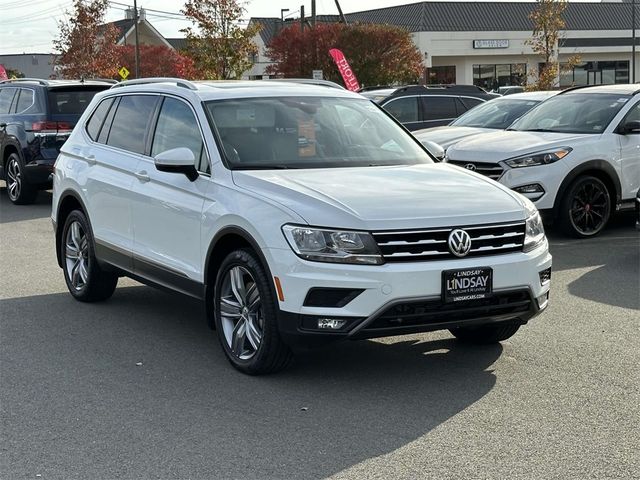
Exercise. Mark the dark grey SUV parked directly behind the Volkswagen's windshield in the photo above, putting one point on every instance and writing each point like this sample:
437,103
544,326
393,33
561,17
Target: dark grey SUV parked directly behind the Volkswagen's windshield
425,106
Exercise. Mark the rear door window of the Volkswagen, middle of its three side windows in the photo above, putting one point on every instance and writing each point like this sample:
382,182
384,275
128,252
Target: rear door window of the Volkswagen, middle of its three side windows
131,122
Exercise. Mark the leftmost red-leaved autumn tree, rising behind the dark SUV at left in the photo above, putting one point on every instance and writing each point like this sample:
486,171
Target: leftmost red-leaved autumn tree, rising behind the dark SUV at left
87,47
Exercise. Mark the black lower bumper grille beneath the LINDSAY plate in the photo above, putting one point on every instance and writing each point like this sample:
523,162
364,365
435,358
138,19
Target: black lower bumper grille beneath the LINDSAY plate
416,313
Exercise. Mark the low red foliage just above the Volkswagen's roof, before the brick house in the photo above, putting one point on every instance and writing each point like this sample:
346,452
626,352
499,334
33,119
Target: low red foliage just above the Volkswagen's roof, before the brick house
157,61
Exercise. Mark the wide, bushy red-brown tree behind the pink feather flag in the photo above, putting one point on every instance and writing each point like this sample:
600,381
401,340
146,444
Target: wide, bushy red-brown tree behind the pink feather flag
378,54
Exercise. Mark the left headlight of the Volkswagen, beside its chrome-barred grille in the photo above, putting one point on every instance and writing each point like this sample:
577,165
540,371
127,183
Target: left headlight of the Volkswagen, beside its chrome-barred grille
334,246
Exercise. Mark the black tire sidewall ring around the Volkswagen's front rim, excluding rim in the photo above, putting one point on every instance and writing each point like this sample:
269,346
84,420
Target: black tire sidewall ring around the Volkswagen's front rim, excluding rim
247,259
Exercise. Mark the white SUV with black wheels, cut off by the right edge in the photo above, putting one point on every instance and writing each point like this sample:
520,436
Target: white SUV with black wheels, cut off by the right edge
576,156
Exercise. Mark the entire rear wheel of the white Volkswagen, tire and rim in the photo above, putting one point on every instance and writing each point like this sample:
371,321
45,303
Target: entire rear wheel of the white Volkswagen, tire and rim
77,250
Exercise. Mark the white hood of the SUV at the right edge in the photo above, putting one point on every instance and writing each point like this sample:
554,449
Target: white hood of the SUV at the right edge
501,145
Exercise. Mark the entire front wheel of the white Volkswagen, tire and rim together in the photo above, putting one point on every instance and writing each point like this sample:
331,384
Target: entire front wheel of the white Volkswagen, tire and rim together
255,311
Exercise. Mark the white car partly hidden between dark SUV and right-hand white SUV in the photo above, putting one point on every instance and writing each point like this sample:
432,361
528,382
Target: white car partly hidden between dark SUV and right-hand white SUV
496,114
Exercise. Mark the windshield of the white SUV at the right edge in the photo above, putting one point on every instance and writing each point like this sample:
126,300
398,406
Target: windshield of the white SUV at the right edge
573,113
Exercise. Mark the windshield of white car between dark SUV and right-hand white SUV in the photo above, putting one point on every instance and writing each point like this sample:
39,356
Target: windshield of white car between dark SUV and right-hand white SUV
495,114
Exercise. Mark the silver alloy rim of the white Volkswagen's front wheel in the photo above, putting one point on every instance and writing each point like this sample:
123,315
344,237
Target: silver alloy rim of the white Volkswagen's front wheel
241,313
